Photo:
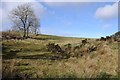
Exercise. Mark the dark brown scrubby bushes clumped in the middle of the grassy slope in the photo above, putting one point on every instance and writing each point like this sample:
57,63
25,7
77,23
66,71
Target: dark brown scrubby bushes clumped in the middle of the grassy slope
69,50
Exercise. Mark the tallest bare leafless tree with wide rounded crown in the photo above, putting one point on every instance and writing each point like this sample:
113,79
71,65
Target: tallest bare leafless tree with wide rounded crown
24,18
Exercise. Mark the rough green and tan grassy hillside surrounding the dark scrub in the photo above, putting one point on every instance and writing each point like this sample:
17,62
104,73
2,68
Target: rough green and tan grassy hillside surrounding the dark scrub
30,58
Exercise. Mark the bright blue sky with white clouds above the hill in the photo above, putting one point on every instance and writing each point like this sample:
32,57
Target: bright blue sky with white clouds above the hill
71,19
